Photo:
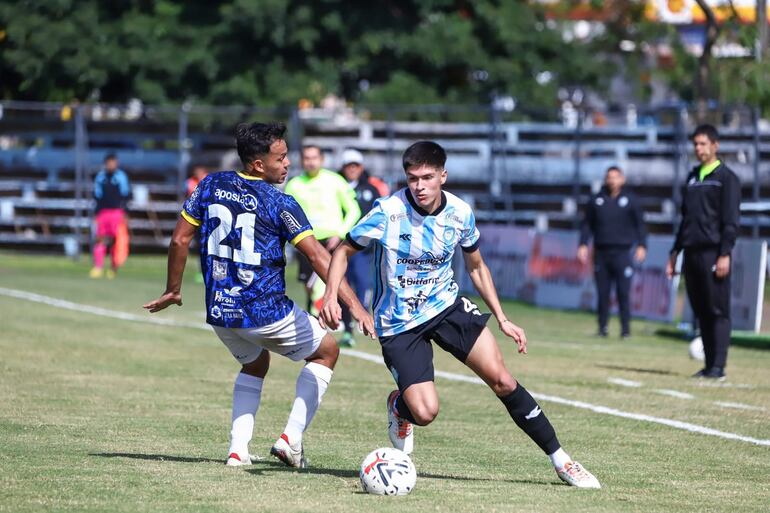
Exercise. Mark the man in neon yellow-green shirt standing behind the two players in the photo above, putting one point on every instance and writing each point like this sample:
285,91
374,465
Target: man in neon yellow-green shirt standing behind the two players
331,207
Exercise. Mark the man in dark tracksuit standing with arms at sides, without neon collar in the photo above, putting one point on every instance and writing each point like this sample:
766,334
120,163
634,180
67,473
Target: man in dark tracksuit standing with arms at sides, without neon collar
614,219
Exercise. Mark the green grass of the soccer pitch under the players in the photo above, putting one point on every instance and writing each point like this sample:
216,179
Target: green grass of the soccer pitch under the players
99,414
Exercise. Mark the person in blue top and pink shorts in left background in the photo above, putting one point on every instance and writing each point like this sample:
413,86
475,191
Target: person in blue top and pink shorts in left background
111,192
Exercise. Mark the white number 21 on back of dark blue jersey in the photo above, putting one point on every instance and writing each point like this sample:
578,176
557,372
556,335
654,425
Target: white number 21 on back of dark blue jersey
245,221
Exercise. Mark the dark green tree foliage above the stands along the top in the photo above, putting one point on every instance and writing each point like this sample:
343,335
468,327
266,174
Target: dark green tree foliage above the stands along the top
275,52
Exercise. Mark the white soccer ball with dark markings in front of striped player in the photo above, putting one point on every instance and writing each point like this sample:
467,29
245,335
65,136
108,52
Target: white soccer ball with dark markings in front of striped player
387,471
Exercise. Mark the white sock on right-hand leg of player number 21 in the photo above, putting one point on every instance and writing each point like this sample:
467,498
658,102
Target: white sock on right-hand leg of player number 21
311,385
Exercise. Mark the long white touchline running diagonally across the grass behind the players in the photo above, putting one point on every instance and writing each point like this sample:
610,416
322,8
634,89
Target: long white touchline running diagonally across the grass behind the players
686,426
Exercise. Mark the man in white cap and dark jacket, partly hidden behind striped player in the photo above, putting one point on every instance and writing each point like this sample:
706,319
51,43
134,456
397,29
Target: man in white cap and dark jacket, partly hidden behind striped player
360,266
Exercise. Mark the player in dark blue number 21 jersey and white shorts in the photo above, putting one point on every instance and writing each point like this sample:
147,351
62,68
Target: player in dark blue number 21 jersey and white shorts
244,223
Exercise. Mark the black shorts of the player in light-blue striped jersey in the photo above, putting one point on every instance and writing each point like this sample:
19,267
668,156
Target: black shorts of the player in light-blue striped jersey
409,355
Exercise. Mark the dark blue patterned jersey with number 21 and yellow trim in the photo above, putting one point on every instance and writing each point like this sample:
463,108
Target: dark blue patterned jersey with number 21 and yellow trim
244,225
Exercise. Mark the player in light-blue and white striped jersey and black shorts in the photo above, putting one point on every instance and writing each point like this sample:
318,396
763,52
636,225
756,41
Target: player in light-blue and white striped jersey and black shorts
415,232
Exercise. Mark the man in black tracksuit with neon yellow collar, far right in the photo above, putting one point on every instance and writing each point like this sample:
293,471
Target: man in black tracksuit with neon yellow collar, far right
709,227
